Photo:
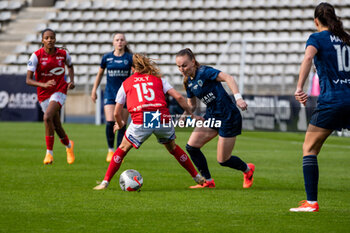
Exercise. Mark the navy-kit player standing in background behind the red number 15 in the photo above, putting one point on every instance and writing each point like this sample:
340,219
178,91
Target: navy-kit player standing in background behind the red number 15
118,65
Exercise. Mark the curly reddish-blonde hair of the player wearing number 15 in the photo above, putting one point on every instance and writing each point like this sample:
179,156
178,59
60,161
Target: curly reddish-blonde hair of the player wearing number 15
145,65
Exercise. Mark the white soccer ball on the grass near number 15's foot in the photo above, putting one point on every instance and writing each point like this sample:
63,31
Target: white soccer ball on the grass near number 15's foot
130,180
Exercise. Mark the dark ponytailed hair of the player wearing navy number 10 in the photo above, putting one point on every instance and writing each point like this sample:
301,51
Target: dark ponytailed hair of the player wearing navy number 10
325,13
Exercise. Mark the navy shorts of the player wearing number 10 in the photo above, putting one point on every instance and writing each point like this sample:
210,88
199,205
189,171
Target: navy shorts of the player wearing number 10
334,117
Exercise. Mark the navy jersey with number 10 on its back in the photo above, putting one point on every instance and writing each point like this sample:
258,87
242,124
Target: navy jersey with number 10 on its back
332,62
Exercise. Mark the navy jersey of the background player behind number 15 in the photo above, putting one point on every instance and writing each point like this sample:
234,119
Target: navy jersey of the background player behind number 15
118,69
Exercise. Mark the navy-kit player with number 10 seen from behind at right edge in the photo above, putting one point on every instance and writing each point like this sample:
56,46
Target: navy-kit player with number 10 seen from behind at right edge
330,49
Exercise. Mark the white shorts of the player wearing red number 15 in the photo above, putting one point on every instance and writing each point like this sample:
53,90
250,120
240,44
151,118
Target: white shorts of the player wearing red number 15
137,134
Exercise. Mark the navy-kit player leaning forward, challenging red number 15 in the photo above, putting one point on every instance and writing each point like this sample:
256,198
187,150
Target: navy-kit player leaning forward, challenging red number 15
204,83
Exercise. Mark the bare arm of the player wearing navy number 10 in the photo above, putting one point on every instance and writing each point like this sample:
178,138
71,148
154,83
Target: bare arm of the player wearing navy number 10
305,68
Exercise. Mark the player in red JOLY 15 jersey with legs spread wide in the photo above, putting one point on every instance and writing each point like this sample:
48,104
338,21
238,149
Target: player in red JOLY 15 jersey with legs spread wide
144,92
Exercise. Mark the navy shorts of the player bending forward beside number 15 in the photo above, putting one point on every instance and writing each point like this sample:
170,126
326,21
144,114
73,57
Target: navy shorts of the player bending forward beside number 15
231,123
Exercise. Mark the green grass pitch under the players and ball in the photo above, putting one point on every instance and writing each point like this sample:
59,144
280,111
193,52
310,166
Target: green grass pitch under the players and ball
59,197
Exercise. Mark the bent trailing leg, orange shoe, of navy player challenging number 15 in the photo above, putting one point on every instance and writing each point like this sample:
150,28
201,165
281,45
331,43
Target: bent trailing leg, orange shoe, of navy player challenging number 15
224,157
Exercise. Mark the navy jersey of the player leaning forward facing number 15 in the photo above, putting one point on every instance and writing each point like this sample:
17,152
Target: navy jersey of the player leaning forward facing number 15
211,92
